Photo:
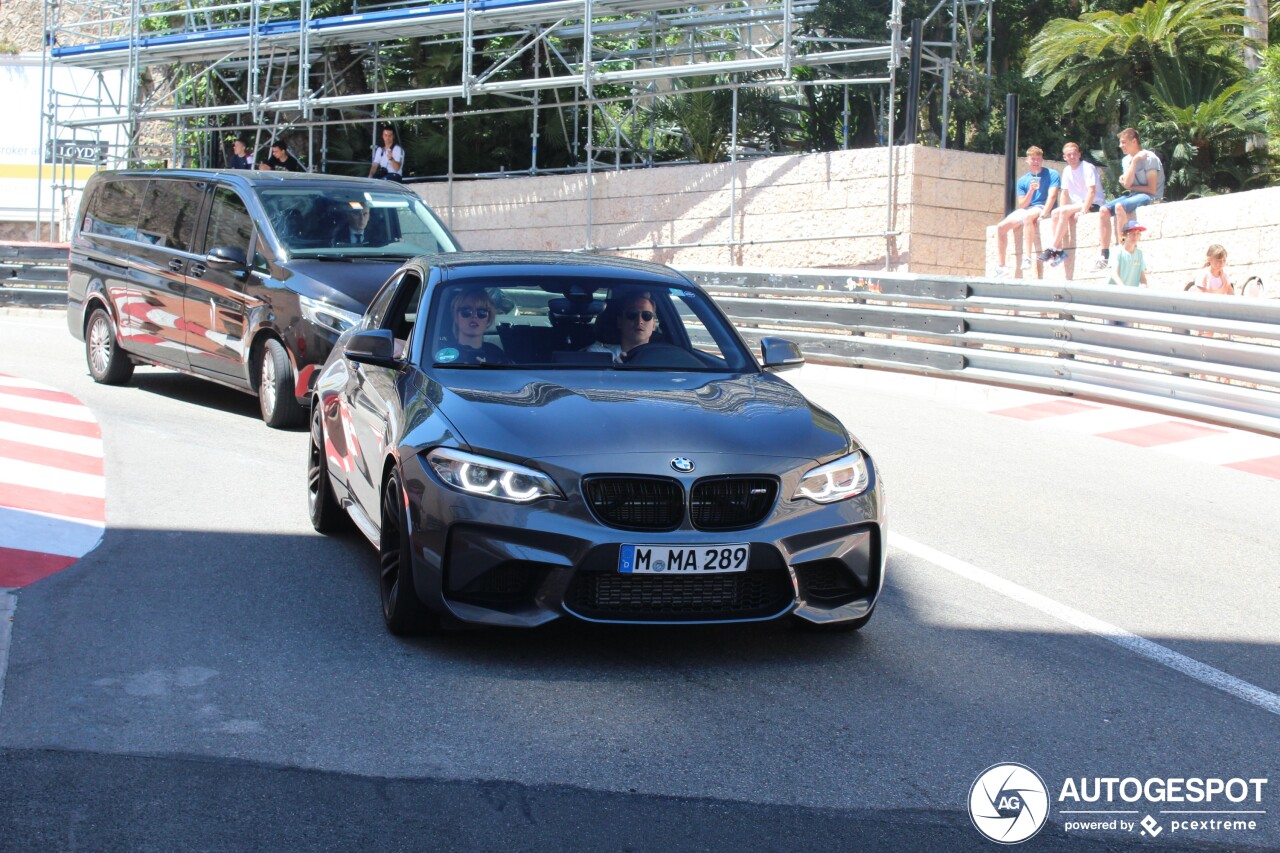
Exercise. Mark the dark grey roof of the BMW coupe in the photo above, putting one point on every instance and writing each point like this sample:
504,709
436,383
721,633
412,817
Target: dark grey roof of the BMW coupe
483,264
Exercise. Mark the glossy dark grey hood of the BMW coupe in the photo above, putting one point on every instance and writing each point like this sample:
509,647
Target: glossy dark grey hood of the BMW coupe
589,413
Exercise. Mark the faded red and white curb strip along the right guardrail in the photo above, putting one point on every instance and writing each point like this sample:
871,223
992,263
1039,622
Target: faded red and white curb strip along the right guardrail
1236,449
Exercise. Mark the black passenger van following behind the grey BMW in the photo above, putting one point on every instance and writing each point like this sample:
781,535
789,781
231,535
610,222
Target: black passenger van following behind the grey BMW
246,279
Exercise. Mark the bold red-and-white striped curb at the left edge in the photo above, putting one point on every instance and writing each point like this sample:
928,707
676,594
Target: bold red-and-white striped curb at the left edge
53,494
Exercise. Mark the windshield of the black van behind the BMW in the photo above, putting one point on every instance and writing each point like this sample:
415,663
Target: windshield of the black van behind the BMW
349,222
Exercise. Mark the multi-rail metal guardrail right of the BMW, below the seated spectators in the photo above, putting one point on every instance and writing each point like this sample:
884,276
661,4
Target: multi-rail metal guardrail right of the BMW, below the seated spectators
1215,359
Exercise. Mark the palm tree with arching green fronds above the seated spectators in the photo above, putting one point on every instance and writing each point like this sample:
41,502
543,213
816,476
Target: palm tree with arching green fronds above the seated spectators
1100,62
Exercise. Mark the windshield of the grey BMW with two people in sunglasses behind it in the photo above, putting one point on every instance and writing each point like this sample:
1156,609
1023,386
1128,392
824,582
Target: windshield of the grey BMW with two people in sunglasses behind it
582,325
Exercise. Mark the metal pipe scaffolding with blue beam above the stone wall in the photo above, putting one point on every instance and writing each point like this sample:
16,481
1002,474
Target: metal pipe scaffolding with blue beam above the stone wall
188,72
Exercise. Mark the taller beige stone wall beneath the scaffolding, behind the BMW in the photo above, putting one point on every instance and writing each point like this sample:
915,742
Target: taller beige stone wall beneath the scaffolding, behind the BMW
838,203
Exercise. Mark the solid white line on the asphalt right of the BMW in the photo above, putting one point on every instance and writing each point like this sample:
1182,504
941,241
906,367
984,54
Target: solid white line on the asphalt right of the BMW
1155,653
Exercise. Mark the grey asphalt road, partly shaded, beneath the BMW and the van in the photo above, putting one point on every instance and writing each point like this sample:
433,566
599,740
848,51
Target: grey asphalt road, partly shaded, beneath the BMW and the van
216,676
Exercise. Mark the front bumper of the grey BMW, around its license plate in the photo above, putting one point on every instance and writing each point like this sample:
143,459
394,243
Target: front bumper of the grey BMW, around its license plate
483,562
